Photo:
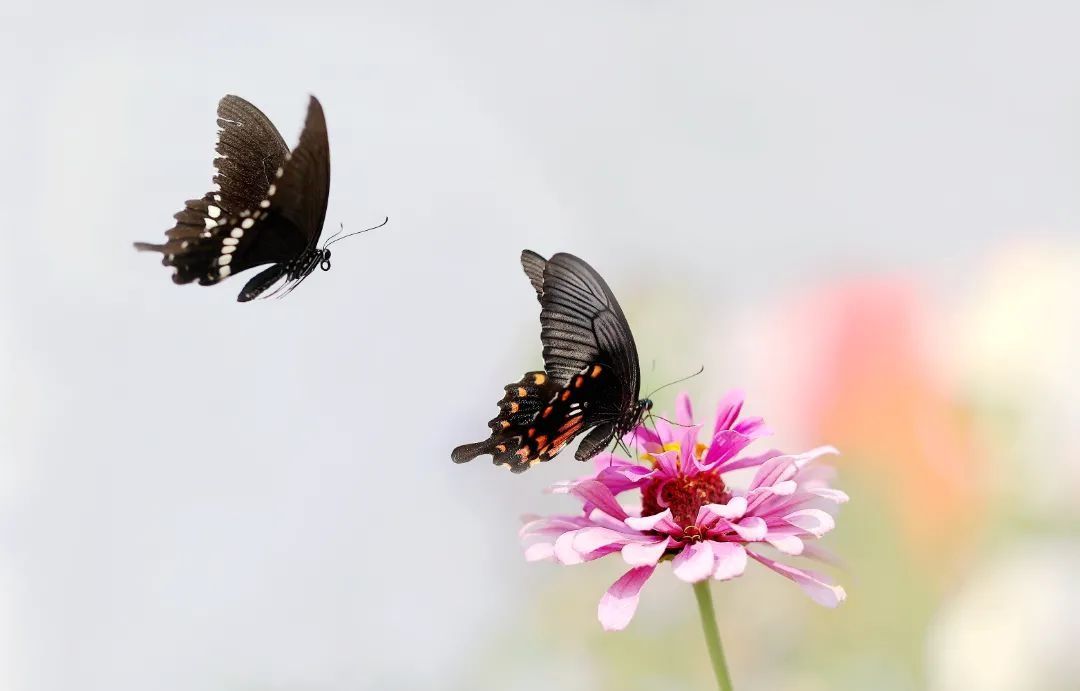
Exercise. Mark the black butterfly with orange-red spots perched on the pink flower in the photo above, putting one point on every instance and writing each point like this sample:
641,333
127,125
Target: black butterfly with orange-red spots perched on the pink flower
591,378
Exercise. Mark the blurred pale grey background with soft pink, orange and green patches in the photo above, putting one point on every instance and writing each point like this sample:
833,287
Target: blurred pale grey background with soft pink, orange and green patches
863,214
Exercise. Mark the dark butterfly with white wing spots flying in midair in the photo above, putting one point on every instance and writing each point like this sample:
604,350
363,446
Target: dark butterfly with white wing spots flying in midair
269,207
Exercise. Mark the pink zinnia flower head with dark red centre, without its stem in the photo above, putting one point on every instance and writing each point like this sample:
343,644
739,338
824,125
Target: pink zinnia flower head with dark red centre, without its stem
691,514
